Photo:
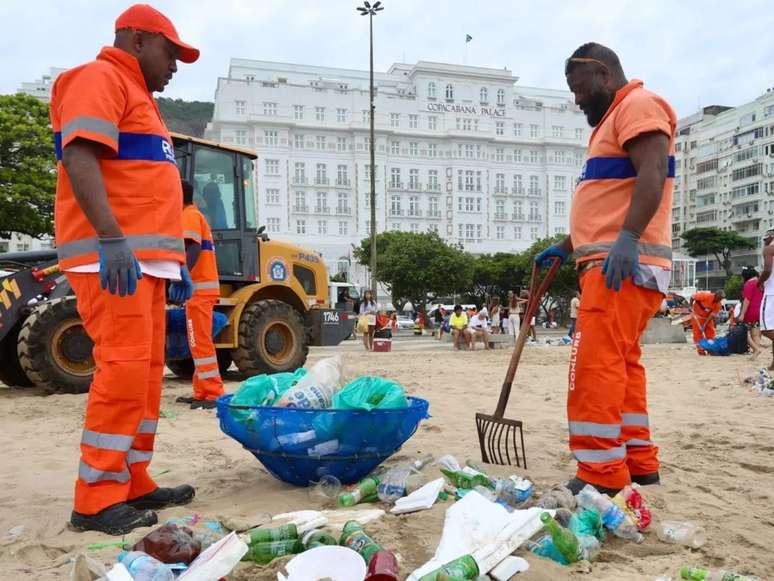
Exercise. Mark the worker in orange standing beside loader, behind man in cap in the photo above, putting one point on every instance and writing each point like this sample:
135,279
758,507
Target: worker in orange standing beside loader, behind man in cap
200,258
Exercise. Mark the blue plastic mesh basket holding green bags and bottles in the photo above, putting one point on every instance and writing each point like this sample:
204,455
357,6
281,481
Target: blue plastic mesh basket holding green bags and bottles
300,446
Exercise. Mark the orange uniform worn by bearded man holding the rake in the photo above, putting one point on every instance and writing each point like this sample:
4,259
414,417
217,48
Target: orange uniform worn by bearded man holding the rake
607,403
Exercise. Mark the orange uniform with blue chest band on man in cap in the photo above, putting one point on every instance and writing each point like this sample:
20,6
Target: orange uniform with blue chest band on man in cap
107,102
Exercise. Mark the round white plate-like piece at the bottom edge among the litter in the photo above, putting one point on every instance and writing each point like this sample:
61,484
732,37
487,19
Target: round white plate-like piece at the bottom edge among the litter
329,562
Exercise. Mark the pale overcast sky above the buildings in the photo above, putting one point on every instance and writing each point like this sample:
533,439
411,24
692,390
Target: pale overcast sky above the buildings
694,53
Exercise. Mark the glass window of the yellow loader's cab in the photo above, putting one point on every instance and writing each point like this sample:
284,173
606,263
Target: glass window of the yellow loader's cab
214,190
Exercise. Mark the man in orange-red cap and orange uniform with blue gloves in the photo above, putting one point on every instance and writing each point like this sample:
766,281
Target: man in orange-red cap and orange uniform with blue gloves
119,239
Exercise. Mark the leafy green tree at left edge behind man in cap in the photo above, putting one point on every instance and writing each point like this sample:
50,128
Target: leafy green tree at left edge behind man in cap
27,167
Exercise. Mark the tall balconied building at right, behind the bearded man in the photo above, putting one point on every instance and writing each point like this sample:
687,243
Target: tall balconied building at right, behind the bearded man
725,179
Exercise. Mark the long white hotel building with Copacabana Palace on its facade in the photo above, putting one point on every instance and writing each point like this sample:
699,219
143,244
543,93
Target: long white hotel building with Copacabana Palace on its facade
460,150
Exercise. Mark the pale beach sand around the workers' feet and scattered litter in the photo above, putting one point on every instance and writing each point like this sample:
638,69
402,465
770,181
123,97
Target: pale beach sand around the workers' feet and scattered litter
716,439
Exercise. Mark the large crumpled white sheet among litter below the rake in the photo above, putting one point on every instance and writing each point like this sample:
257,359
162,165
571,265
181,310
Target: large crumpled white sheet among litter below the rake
477,526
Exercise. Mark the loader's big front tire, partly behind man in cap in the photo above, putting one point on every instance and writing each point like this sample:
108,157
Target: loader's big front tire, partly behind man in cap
54,348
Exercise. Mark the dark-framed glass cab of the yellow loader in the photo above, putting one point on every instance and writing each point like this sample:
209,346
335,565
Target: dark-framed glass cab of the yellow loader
222,178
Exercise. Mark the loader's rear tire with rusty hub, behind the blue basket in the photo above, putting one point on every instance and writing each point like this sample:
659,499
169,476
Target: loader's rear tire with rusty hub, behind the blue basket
272,338
